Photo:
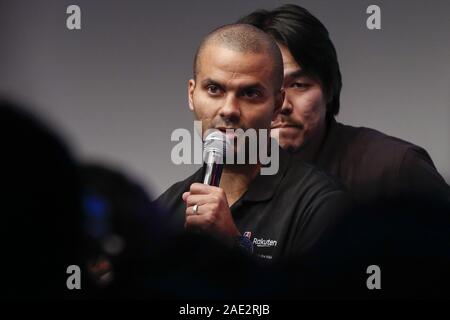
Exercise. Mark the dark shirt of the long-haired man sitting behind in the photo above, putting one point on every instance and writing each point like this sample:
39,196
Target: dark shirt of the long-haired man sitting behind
376,167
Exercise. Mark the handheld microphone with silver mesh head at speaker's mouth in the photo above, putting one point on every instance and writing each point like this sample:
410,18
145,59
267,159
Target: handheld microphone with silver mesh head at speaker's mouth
215,147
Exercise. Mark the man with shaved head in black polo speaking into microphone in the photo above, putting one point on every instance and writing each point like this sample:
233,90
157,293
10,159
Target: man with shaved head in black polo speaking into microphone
237,79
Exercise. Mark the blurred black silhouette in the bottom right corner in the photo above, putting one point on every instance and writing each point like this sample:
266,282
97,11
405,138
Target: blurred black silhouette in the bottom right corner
407,238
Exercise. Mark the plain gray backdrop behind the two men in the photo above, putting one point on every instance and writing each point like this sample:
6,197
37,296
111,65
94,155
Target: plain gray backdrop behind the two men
117,88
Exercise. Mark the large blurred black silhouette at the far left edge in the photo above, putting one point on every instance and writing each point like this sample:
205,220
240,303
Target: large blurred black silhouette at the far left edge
40,208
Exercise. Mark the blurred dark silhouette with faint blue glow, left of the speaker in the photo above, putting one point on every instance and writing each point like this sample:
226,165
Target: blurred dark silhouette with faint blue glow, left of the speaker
123,227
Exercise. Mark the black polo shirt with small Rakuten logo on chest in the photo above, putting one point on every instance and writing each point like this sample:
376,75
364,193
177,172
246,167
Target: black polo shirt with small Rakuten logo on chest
285,215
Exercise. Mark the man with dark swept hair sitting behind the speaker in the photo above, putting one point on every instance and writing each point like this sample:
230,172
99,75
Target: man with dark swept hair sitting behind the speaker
372,165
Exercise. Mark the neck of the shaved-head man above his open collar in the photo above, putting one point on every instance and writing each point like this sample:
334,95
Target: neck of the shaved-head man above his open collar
235,180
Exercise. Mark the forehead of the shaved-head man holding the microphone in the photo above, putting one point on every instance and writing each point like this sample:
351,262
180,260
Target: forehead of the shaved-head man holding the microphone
234,67
